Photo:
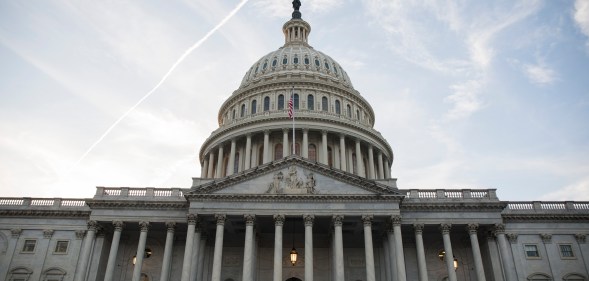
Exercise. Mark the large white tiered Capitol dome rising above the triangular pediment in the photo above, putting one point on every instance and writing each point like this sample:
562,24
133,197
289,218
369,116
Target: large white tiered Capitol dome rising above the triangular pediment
333,122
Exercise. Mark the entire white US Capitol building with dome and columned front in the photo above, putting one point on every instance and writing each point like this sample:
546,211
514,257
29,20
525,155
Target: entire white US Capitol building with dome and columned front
329,210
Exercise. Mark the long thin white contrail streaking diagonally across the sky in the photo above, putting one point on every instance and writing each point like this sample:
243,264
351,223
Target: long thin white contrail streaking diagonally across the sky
186,53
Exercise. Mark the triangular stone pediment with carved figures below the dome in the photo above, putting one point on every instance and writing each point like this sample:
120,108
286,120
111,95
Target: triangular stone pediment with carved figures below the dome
296,176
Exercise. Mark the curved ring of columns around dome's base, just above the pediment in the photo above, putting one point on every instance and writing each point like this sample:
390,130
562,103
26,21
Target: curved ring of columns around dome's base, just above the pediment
338,150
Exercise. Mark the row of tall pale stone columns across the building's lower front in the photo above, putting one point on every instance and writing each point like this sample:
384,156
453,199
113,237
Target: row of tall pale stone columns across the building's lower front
193,253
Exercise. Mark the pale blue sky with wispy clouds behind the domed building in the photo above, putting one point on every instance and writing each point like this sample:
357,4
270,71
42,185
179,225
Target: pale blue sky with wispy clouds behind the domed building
470,94
